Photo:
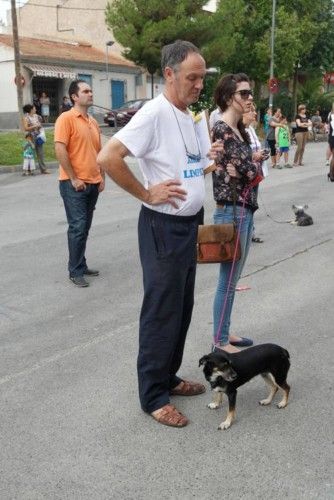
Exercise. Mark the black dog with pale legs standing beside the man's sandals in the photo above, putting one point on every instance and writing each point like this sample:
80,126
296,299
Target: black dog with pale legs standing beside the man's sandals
226,372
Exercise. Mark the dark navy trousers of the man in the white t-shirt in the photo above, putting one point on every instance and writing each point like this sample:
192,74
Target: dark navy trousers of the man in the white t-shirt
167,246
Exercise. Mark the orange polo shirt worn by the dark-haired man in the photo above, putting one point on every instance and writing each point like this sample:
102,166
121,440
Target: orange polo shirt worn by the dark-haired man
81,136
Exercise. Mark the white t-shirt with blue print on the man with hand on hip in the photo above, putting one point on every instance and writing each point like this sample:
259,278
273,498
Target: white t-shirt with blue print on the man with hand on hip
154,137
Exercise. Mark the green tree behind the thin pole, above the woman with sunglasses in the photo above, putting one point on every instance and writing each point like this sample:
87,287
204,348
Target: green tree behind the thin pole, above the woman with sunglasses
304,37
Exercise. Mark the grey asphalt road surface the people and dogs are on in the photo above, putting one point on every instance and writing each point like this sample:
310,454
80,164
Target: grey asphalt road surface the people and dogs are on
71,426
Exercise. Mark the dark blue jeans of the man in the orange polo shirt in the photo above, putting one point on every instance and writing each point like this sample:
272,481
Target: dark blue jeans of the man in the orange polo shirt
79,207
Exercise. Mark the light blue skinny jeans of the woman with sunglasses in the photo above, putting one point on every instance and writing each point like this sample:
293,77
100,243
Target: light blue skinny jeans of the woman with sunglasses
224,215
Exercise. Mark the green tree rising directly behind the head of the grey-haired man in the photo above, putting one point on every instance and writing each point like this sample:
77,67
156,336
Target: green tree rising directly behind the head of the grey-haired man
144,26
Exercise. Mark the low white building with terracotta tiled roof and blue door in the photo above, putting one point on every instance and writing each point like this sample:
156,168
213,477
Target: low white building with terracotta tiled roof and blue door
49,66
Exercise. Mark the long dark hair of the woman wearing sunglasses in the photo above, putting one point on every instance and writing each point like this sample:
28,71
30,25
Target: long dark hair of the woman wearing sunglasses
224,91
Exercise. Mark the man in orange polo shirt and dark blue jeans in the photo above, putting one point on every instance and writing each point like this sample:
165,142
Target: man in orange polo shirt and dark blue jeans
77,143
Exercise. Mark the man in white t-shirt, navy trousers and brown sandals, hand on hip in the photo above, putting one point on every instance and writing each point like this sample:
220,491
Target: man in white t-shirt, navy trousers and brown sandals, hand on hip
171,149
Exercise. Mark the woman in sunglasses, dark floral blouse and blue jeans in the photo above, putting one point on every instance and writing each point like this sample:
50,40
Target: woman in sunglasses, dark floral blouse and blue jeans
234,179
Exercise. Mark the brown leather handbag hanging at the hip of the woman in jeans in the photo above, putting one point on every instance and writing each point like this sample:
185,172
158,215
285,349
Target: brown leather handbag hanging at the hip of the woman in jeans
218,242
